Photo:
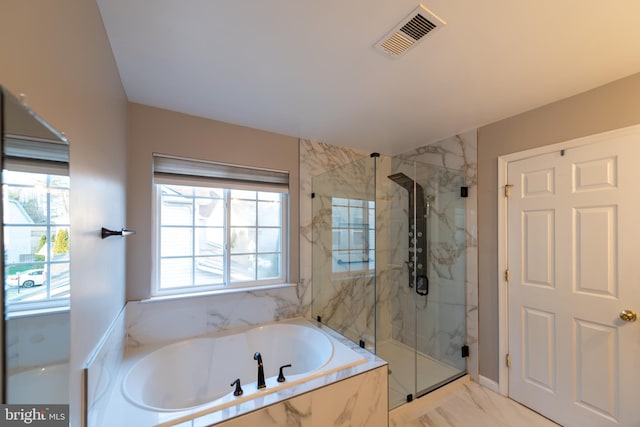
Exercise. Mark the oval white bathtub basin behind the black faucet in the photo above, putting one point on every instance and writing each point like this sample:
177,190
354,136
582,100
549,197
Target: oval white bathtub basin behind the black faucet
197,373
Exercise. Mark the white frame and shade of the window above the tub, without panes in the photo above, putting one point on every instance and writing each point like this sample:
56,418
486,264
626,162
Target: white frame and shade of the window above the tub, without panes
169,170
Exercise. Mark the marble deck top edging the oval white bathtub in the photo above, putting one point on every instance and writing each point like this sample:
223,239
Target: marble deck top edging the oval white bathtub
122,412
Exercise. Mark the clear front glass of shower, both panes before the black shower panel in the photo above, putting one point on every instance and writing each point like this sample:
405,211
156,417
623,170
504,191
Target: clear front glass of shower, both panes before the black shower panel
420,272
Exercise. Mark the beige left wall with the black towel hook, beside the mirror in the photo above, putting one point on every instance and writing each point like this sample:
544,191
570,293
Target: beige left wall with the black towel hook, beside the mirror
57,52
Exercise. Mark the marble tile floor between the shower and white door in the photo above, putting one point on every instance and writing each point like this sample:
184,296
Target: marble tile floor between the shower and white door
465,403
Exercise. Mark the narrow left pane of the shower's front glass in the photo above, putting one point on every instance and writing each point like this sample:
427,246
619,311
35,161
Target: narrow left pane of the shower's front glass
397,296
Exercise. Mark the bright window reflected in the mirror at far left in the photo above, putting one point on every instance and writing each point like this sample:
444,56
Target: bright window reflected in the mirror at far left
36,240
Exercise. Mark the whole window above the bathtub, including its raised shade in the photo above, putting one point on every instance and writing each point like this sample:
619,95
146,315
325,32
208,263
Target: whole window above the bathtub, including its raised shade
218,226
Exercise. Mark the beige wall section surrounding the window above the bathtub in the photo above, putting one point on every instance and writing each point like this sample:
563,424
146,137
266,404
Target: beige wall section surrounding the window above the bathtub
153,130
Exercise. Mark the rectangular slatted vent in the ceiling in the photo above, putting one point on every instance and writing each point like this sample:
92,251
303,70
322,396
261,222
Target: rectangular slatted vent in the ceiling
420,22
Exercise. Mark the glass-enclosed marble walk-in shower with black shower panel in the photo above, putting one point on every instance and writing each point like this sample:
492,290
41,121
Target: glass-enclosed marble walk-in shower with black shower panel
389,266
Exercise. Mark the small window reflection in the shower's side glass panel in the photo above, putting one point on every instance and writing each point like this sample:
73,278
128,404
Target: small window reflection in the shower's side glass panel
353,235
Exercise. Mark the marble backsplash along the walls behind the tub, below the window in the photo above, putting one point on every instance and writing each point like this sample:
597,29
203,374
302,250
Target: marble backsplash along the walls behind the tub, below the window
144,323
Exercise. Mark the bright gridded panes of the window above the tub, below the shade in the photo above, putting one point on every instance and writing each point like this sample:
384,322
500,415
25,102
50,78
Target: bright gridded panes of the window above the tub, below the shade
216,237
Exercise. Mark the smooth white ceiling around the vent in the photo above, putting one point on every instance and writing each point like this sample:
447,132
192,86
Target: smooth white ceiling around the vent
308,68
